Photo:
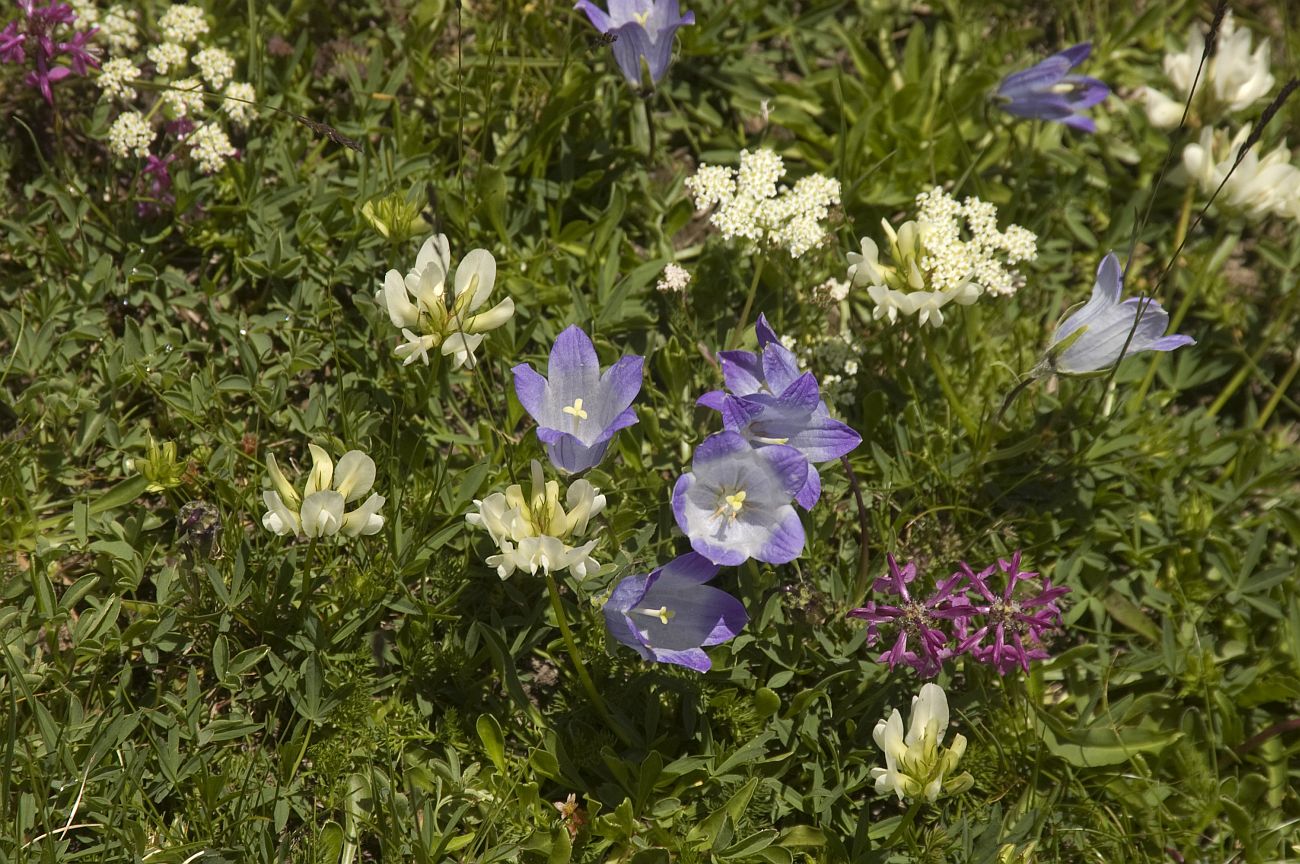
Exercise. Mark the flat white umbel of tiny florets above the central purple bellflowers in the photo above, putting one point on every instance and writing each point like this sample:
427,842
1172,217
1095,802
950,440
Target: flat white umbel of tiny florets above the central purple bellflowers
749,205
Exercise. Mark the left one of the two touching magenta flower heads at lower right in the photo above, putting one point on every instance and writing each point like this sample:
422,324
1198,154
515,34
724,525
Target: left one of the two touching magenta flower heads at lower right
922,644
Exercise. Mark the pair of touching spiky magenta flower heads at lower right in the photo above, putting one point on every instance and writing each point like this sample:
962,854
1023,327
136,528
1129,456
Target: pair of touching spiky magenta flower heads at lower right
967,614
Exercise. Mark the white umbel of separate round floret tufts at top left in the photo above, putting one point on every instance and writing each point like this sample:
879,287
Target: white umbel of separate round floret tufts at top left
180,81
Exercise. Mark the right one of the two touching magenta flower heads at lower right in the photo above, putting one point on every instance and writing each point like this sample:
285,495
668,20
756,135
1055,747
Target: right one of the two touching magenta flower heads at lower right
1017,624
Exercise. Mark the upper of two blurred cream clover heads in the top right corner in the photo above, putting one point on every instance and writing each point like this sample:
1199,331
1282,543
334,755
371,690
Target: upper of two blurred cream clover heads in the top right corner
1234,79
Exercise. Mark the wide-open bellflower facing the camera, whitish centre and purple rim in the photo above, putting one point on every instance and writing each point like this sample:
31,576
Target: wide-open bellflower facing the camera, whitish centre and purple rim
735,503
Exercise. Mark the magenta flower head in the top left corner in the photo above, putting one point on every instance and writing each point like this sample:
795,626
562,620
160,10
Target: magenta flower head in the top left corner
36,33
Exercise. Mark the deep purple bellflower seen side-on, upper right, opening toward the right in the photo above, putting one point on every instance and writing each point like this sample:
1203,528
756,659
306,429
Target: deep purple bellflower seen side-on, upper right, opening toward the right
1047,92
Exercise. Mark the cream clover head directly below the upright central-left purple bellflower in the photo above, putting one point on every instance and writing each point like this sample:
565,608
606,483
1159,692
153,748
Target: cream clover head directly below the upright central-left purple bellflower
536,533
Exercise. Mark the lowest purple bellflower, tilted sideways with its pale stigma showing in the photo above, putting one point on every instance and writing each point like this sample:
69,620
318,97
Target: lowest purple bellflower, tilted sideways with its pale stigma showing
670,615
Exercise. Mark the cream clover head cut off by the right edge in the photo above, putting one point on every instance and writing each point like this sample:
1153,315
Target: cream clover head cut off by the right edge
1256,188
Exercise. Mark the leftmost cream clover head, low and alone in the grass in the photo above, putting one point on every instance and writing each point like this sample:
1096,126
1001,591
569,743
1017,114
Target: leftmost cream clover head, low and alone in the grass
320,510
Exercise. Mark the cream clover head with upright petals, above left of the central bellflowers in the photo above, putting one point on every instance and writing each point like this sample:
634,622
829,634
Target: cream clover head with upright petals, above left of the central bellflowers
419,305
